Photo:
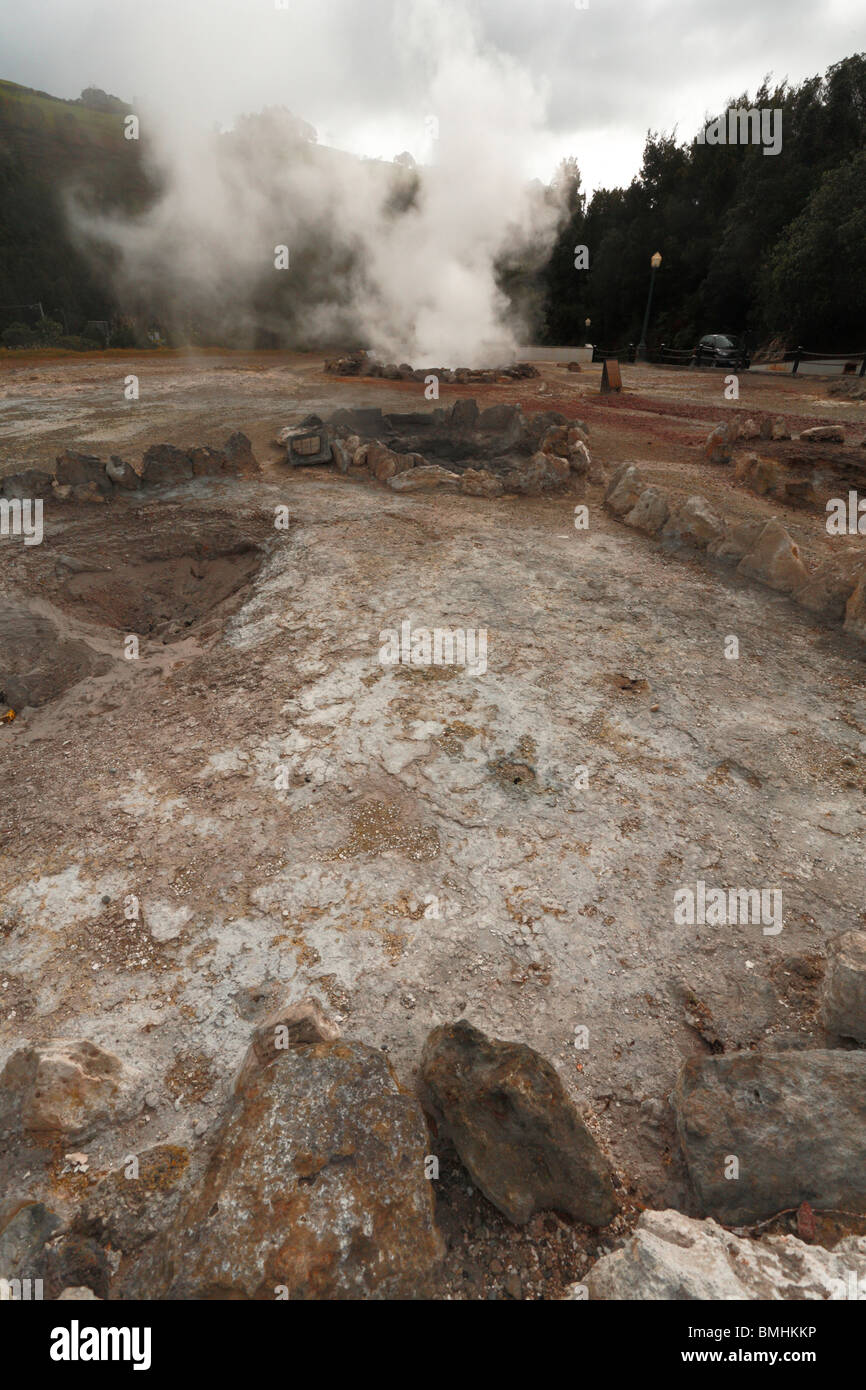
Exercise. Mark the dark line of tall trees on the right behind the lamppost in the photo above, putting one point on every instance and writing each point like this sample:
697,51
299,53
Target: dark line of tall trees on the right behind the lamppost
769,245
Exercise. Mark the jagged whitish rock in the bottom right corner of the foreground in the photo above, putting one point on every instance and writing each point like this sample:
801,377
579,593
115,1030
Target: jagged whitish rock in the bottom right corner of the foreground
673,1257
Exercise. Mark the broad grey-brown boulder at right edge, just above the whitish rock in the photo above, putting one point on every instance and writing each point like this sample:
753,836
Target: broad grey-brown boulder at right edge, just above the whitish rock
792,1127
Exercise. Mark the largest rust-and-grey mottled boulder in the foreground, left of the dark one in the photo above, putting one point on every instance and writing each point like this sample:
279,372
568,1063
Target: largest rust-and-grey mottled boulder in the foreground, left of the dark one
316,1188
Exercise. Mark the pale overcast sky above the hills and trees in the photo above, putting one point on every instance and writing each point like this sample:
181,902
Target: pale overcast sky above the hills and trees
359,70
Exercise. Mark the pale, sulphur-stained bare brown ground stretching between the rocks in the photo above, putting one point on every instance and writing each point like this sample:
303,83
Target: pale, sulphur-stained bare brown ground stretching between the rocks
415,844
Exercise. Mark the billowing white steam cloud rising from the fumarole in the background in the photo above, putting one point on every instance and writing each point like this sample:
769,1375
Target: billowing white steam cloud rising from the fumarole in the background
398,259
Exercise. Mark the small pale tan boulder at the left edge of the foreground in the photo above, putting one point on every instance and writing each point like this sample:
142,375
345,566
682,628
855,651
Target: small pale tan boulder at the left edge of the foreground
67,1090
